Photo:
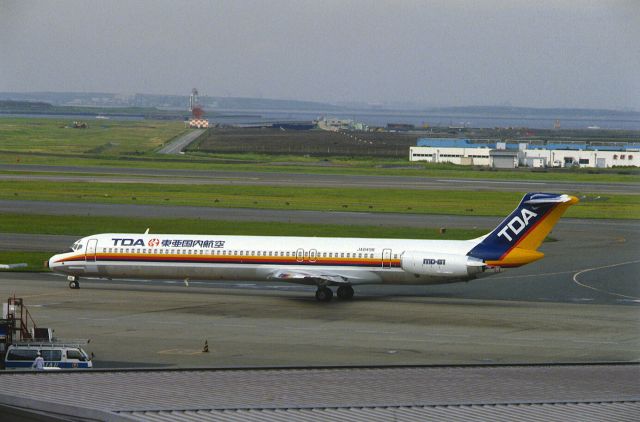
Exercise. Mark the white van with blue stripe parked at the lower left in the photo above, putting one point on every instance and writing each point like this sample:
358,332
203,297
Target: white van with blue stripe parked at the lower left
56,356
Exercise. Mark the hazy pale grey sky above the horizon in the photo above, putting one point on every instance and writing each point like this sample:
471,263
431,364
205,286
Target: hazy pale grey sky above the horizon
561,53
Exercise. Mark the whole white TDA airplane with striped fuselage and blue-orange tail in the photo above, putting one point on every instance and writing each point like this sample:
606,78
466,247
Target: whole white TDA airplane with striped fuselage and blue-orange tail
324,262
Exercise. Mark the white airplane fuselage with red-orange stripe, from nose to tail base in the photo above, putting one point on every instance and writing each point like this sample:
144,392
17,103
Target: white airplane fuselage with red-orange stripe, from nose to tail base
361,260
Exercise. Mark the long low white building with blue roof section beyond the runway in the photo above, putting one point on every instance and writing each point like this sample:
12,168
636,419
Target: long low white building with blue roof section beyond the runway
503,155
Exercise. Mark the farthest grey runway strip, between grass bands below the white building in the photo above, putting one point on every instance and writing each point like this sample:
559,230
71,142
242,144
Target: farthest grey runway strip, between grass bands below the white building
177,176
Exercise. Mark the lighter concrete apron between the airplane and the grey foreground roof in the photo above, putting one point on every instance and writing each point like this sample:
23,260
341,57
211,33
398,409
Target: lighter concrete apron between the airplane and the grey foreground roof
166,324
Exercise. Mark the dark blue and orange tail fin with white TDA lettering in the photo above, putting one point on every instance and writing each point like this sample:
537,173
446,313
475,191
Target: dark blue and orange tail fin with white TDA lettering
515,241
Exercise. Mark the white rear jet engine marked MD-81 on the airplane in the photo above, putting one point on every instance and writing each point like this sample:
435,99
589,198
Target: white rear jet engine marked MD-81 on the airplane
441,264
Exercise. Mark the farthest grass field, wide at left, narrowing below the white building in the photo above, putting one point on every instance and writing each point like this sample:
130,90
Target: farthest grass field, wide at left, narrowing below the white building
133,143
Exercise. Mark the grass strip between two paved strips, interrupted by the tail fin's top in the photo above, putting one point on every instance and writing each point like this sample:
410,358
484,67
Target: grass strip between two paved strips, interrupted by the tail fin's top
473,203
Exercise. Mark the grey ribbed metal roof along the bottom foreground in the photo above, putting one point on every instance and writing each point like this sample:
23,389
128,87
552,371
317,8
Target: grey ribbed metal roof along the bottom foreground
562,392
